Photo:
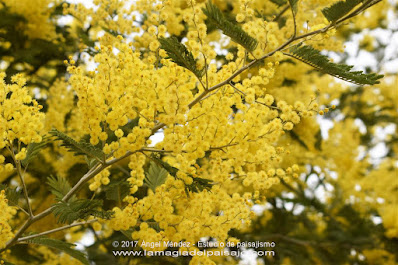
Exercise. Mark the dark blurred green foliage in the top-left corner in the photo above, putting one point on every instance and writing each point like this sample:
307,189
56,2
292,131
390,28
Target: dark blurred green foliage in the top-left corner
34,52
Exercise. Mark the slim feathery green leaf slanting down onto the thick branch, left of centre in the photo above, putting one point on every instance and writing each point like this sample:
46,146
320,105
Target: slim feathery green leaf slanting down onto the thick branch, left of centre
79,148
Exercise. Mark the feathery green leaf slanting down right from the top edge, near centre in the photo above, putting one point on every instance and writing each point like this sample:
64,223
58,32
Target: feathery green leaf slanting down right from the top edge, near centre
232,30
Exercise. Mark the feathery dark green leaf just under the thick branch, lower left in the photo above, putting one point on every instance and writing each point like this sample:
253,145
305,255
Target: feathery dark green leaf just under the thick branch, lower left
70,211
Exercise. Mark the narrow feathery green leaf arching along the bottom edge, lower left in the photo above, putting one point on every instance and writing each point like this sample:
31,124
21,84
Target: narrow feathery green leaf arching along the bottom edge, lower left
61,246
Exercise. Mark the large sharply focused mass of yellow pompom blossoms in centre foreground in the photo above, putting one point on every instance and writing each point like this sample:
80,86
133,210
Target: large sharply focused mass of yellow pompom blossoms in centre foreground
127,84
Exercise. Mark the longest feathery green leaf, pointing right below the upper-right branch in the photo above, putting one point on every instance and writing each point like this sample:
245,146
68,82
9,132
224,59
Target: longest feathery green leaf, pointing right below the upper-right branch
313,57
